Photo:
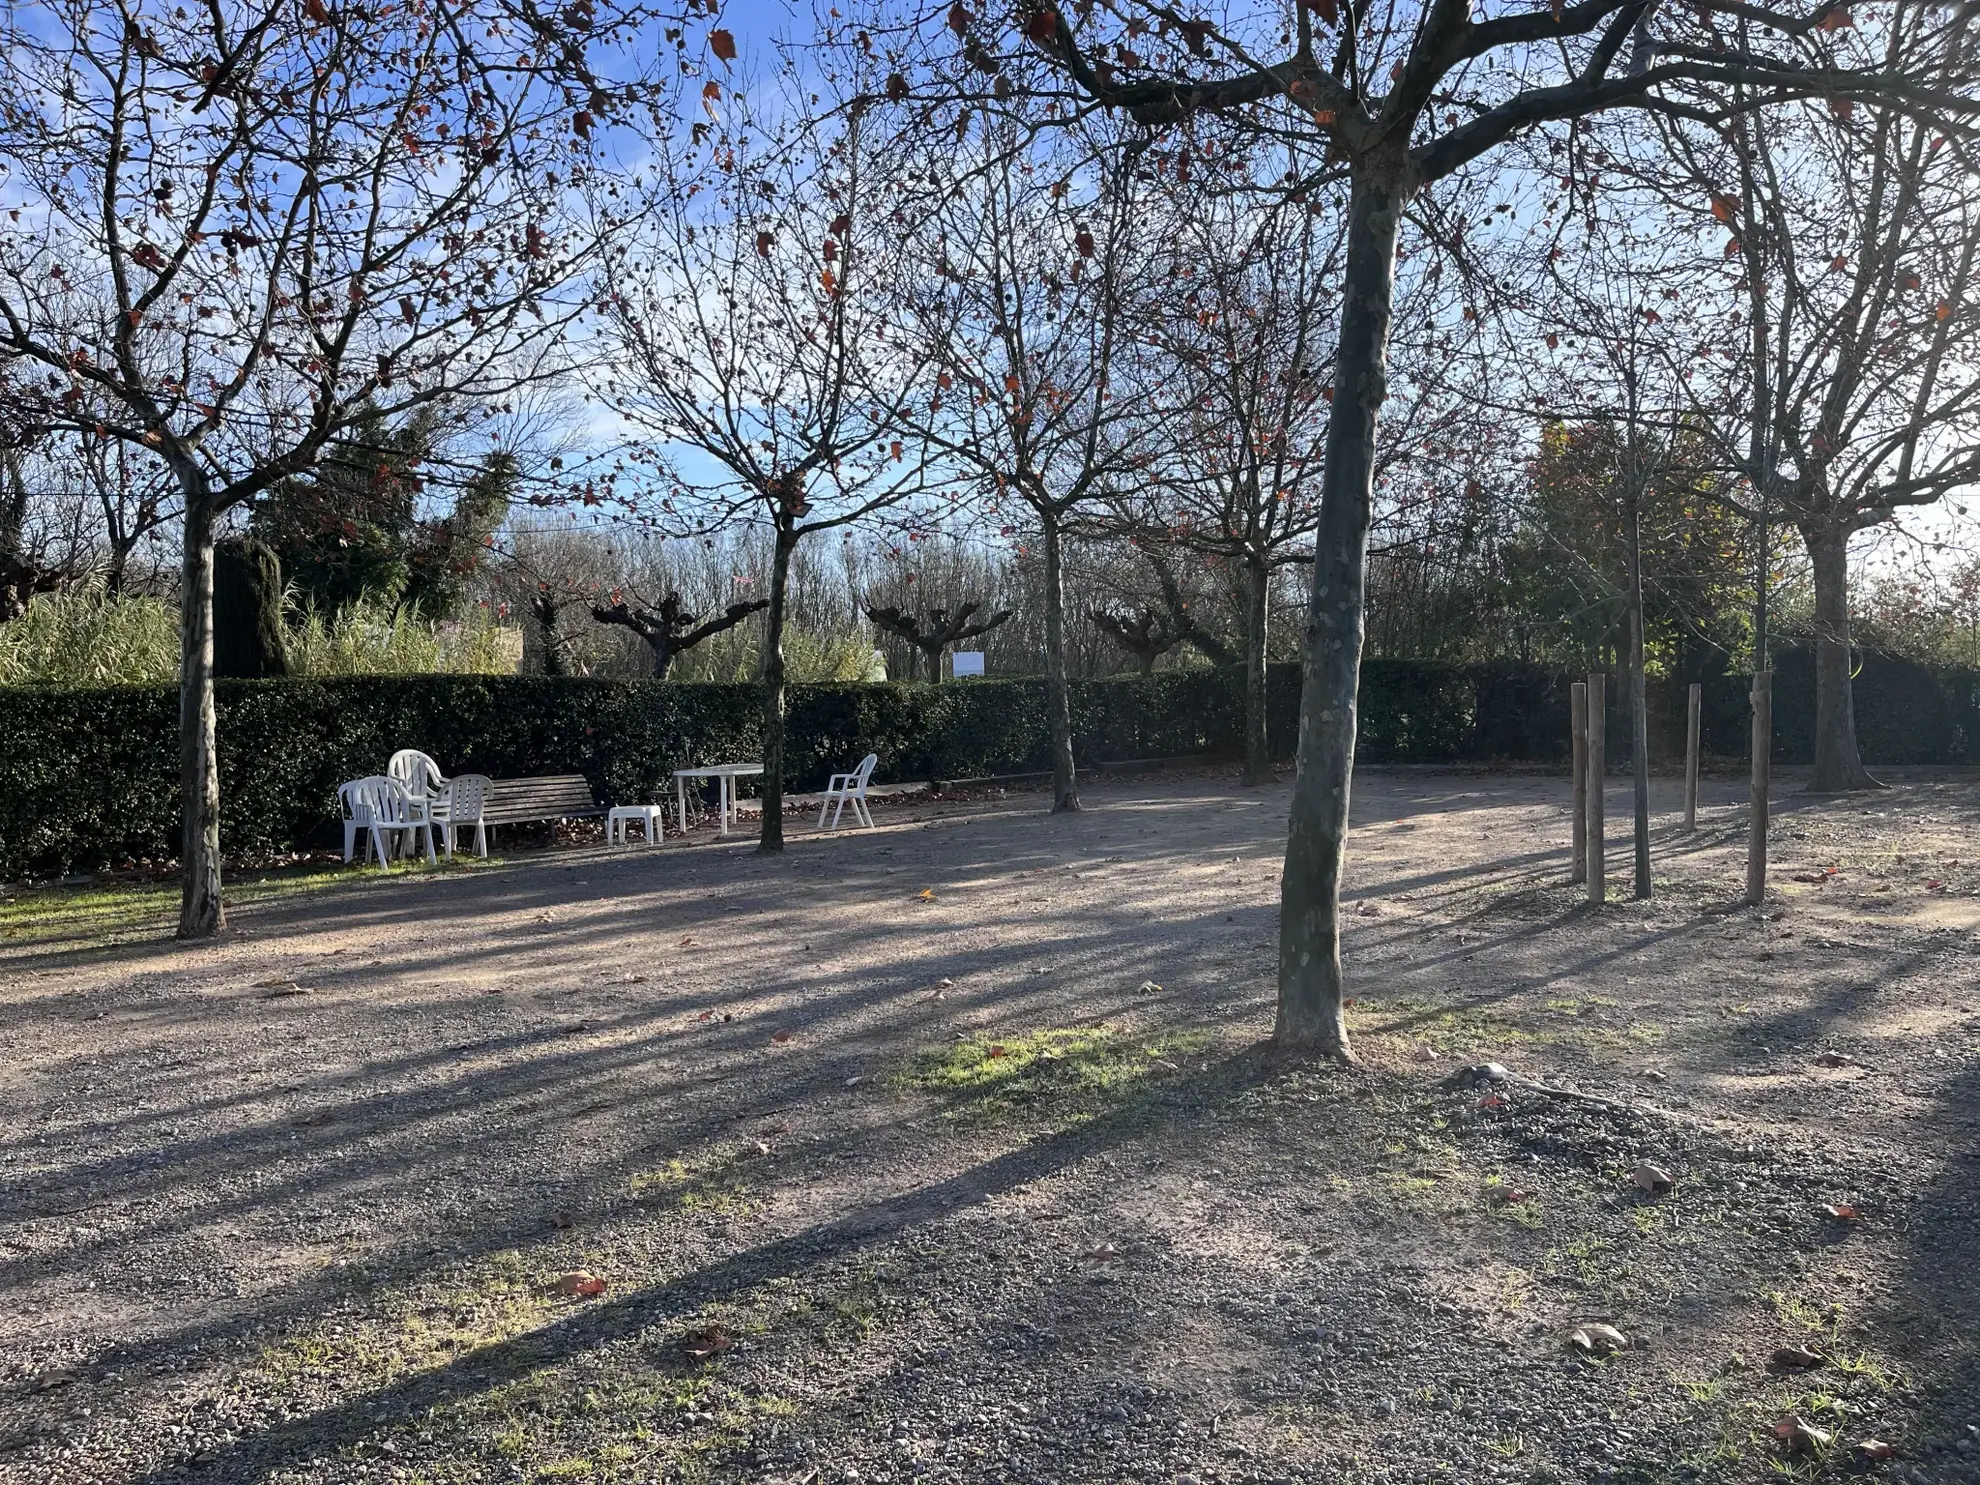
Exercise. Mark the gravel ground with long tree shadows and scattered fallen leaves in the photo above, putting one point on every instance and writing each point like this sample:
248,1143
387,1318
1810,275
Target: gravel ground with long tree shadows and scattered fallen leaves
947,1153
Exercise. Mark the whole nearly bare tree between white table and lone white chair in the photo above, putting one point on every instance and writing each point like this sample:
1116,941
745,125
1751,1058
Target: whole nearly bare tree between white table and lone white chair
759,351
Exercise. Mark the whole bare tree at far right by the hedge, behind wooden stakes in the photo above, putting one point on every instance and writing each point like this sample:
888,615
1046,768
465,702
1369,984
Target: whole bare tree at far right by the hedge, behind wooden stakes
1846,306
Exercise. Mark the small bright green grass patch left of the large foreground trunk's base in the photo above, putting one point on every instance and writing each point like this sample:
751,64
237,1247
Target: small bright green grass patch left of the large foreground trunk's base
1082,1062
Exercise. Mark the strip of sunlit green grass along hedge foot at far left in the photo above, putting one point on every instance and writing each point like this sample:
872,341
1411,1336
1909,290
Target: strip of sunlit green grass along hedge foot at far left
126,912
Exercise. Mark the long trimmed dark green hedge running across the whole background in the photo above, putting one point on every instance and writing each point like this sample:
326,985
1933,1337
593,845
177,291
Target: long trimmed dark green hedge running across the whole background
90,777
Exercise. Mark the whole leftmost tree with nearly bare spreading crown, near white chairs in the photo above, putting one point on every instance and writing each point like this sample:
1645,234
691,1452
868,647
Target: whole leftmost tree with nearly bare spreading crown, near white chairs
243,229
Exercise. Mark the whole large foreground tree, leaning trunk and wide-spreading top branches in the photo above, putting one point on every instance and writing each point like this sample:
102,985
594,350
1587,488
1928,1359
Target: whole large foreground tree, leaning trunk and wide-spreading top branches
1401,100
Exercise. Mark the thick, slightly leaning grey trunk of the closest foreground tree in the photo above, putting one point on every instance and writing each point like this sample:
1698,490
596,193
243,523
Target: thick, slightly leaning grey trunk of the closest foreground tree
1316,848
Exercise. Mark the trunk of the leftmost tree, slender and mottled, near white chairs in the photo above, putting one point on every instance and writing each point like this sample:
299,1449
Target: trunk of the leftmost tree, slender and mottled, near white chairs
201,914
